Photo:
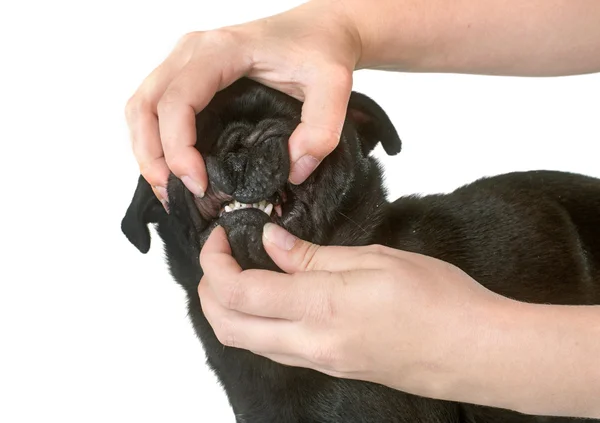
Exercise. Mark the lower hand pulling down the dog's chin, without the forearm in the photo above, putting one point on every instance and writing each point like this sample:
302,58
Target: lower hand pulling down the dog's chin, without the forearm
370,313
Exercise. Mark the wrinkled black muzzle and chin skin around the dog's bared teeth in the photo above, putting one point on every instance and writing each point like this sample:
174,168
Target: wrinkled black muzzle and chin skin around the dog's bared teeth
247,163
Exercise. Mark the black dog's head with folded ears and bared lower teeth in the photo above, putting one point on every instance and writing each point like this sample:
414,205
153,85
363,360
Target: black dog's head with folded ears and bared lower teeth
243,136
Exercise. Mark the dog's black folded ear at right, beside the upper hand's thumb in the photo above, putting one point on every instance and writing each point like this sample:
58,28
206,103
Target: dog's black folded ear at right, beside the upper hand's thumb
372,124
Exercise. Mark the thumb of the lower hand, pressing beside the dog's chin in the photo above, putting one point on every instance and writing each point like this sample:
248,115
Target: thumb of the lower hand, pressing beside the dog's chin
294,255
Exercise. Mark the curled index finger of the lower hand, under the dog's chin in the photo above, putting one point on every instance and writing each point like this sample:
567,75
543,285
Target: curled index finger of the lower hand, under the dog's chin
255,292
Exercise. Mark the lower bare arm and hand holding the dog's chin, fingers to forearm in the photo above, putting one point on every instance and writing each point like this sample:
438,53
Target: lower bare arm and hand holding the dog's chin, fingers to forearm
404,320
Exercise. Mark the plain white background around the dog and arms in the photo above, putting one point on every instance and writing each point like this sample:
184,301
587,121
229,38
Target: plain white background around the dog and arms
93,331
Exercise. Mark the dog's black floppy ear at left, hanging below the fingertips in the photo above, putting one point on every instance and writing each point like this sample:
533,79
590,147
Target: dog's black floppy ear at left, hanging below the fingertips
143,209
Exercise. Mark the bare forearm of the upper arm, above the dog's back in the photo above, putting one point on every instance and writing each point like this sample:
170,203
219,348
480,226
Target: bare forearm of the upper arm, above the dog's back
496,37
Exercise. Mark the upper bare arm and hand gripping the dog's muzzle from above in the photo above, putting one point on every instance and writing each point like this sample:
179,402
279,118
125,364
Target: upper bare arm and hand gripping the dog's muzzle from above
310,52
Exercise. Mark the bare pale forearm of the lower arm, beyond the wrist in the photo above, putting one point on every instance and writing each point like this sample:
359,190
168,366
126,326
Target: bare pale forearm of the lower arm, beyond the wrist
536,359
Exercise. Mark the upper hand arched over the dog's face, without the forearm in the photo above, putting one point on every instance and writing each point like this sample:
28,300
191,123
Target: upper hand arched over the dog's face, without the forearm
308,52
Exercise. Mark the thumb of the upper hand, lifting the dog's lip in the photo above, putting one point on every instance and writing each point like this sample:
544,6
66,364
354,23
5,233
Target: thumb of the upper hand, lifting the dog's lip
323,115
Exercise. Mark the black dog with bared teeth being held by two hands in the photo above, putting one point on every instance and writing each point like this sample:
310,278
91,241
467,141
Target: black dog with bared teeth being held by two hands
532,236
